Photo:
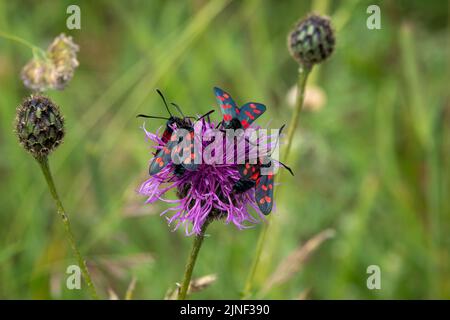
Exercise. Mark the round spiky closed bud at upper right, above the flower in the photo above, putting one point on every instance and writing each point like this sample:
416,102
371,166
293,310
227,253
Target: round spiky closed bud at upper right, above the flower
312,40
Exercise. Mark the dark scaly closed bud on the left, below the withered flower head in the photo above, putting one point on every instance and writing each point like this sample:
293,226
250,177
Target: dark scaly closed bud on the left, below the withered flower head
39,125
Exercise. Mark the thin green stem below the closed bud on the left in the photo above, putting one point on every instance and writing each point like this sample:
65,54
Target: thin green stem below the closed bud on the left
43,162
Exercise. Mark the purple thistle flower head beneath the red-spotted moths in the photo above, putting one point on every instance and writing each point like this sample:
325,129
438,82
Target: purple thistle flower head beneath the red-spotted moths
206,193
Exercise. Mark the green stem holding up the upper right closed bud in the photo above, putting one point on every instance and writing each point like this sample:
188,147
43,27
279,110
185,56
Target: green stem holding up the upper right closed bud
303,73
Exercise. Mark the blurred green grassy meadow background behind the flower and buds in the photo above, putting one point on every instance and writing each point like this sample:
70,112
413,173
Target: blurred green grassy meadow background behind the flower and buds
370,156
